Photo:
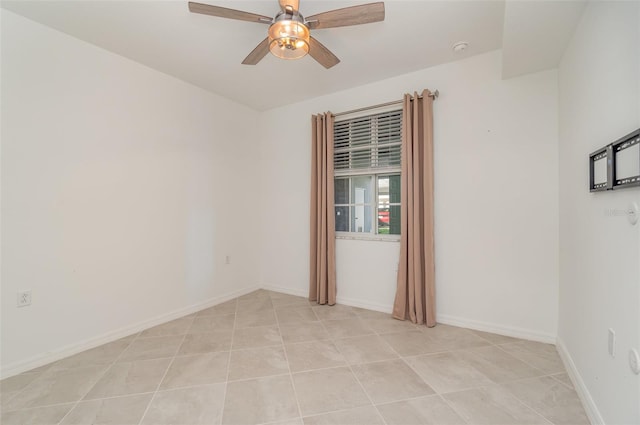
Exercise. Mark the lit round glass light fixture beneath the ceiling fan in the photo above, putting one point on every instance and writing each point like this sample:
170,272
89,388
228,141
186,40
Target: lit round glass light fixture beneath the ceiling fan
288,39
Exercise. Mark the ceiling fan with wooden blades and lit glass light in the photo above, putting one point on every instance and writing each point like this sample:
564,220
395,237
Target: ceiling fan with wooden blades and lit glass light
288,35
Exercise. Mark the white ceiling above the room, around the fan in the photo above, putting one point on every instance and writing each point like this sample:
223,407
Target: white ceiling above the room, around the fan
208,51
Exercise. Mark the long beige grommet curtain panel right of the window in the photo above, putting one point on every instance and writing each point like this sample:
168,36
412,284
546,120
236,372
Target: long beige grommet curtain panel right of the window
415,294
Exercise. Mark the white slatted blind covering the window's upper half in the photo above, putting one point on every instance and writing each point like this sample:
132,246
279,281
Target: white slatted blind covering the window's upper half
368,144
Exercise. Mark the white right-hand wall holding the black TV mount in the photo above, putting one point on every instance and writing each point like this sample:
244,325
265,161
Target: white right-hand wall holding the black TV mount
599,82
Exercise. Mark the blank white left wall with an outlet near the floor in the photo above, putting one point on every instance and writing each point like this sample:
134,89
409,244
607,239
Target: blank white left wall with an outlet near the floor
122,191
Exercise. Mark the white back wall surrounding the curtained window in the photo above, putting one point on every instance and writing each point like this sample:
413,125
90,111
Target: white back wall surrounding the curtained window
496,200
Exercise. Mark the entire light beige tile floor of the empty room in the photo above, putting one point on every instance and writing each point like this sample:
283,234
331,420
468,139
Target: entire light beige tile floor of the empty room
271,358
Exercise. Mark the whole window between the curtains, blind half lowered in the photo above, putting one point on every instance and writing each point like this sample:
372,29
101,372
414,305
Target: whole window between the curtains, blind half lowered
367,174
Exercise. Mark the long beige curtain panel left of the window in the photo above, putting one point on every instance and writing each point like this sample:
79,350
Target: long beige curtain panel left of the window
322,280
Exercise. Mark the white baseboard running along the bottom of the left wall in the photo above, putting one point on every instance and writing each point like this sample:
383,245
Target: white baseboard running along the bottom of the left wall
75,348
